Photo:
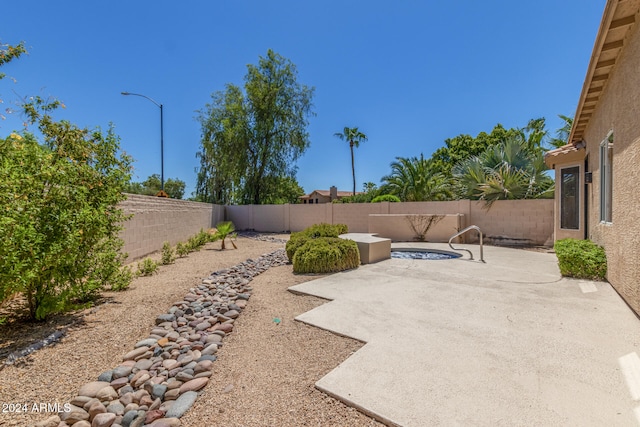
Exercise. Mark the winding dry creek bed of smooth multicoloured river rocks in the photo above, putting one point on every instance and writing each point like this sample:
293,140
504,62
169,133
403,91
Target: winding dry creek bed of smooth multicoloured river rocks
159,380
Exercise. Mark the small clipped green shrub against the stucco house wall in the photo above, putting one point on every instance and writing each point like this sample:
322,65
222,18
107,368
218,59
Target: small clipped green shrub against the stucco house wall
581,259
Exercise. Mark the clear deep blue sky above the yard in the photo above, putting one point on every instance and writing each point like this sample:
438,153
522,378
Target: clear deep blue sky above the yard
409,74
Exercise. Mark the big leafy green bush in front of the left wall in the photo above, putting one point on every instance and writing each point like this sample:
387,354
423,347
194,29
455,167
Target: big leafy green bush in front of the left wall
60,219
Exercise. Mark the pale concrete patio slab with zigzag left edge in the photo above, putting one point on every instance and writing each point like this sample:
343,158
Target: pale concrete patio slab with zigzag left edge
458,342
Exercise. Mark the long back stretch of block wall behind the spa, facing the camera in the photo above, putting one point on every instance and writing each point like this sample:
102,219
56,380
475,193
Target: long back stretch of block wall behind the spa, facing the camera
509,222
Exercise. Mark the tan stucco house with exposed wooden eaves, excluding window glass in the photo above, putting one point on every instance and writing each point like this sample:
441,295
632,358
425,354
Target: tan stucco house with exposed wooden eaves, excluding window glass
610,108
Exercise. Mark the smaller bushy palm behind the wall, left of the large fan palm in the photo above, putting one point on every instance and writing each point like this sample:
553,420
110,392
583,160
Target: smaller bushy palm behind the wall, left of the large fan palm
413,180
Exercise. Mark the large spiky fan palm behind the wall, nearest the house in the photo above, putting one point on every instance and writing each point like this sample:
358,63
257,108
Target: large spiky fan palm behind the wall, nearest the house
504,172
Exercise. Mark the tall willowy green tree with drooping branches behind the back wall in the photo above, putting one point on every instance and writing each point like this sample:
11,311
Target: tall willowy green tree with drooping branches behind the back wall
251,138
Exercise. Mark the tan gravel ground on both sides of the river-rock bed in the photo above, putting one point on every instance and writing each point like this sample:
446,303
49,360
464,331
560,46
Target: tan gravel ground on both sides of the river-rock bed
265,372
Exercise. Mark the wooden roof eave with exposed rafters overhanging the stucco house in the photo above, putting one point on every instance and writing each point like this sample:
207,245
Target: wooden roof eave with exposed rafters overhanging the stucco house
617,20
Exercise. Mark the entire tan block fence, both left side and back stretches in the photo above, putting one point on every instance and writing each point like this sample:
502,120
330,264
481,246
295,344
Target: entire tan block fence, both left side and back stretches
156,220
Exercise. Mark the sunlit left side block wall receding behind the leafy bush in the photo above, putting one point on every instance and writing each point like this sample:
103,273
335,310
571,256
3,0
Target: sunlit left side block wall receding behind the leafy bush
157,220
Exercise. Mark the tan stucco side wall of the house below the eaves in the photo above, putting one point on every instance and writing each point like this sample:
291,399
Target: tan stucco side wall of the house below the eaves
618,110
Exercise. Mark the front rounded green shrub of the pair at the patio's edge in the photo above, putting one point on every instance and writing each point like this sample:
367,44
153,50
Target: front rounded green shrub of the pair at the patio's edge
326,255
